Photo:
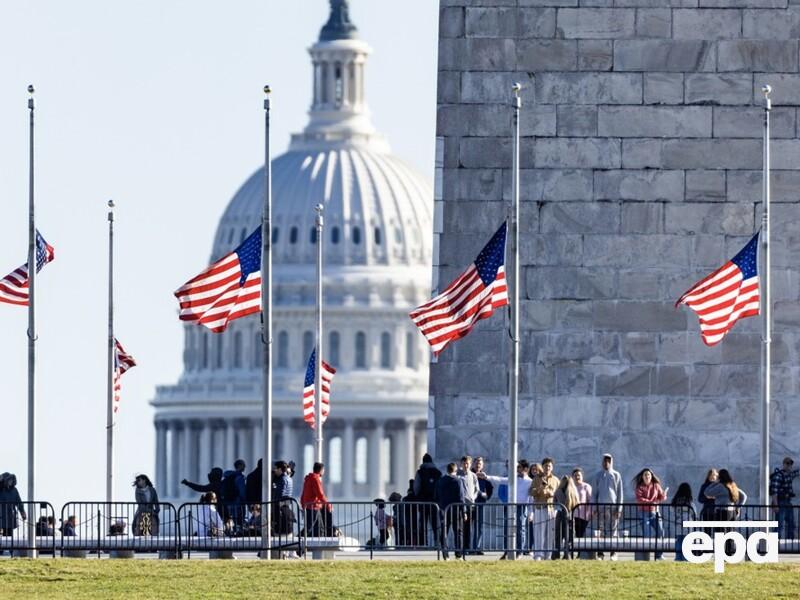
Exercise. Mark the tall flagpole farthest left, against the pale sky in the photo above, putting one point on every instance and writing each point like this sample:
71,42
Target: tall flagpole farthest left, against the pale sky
31,334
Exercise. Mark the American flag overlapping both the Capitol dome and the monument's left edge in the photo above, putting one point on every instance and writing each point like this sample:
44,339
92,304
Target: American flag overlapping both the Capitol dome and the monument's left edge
473,296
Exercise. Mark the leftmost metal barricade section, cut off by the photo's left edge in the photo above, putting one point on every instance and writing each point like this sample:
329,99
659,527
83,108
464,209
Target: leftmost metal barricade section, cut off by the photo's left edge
27,526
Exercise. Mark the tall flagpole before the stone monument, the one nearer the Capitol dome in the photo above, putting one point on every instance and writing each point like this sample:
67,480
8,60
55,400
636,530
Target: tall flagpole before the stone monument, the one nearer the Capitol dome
514,371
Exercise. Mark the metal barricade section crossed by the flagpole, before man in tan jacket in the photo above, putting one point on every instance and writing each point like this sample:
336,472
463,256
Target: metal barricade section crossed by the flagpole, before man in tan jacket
540,530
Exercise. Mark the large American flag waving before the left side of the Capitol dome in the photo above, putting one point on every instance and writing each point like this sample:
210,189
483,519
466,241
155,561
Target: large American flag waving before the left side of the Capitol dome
229,289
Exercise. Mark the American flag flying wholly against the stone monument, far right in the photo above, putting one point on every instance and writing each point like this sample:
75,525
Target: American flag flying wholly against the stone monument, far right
730,293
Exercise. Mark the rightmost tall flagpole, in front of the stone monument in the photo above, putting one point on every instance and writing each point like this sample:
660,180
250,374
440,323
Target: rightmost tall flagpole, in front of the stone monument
766,360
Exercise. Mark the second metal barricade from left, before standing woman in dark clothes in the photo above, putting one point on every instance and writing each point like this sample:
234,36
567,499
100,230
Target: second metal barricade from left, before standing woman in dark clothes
118,528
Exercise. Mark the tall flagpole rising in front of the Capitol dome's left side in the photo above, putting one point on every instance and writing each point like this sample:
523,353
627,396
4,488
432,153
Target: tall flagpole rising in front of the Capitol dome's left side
266,335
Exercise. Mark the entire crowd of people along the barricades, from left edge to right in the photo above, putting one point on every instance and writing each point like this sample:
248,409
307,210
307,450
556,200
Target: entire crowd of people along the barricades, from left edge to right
548,509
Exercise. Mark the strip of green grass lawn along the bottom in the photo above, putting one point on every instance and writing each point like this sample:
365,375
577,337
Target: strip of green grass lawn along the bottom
64,578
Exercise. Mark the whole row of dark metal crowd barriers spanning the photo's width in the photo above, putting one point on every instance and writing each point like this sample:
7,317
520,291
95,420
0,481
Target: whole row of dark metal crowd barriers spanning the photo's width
546,531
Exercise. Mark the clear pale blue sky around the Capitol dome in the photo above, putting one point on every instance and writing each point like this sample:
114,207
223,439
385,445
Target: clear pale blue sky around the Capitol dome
158,105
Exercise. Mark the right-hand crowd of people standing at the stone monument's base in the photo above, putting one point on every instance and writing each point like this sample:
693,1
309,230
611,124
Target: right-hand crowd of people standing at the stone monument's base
545,503
